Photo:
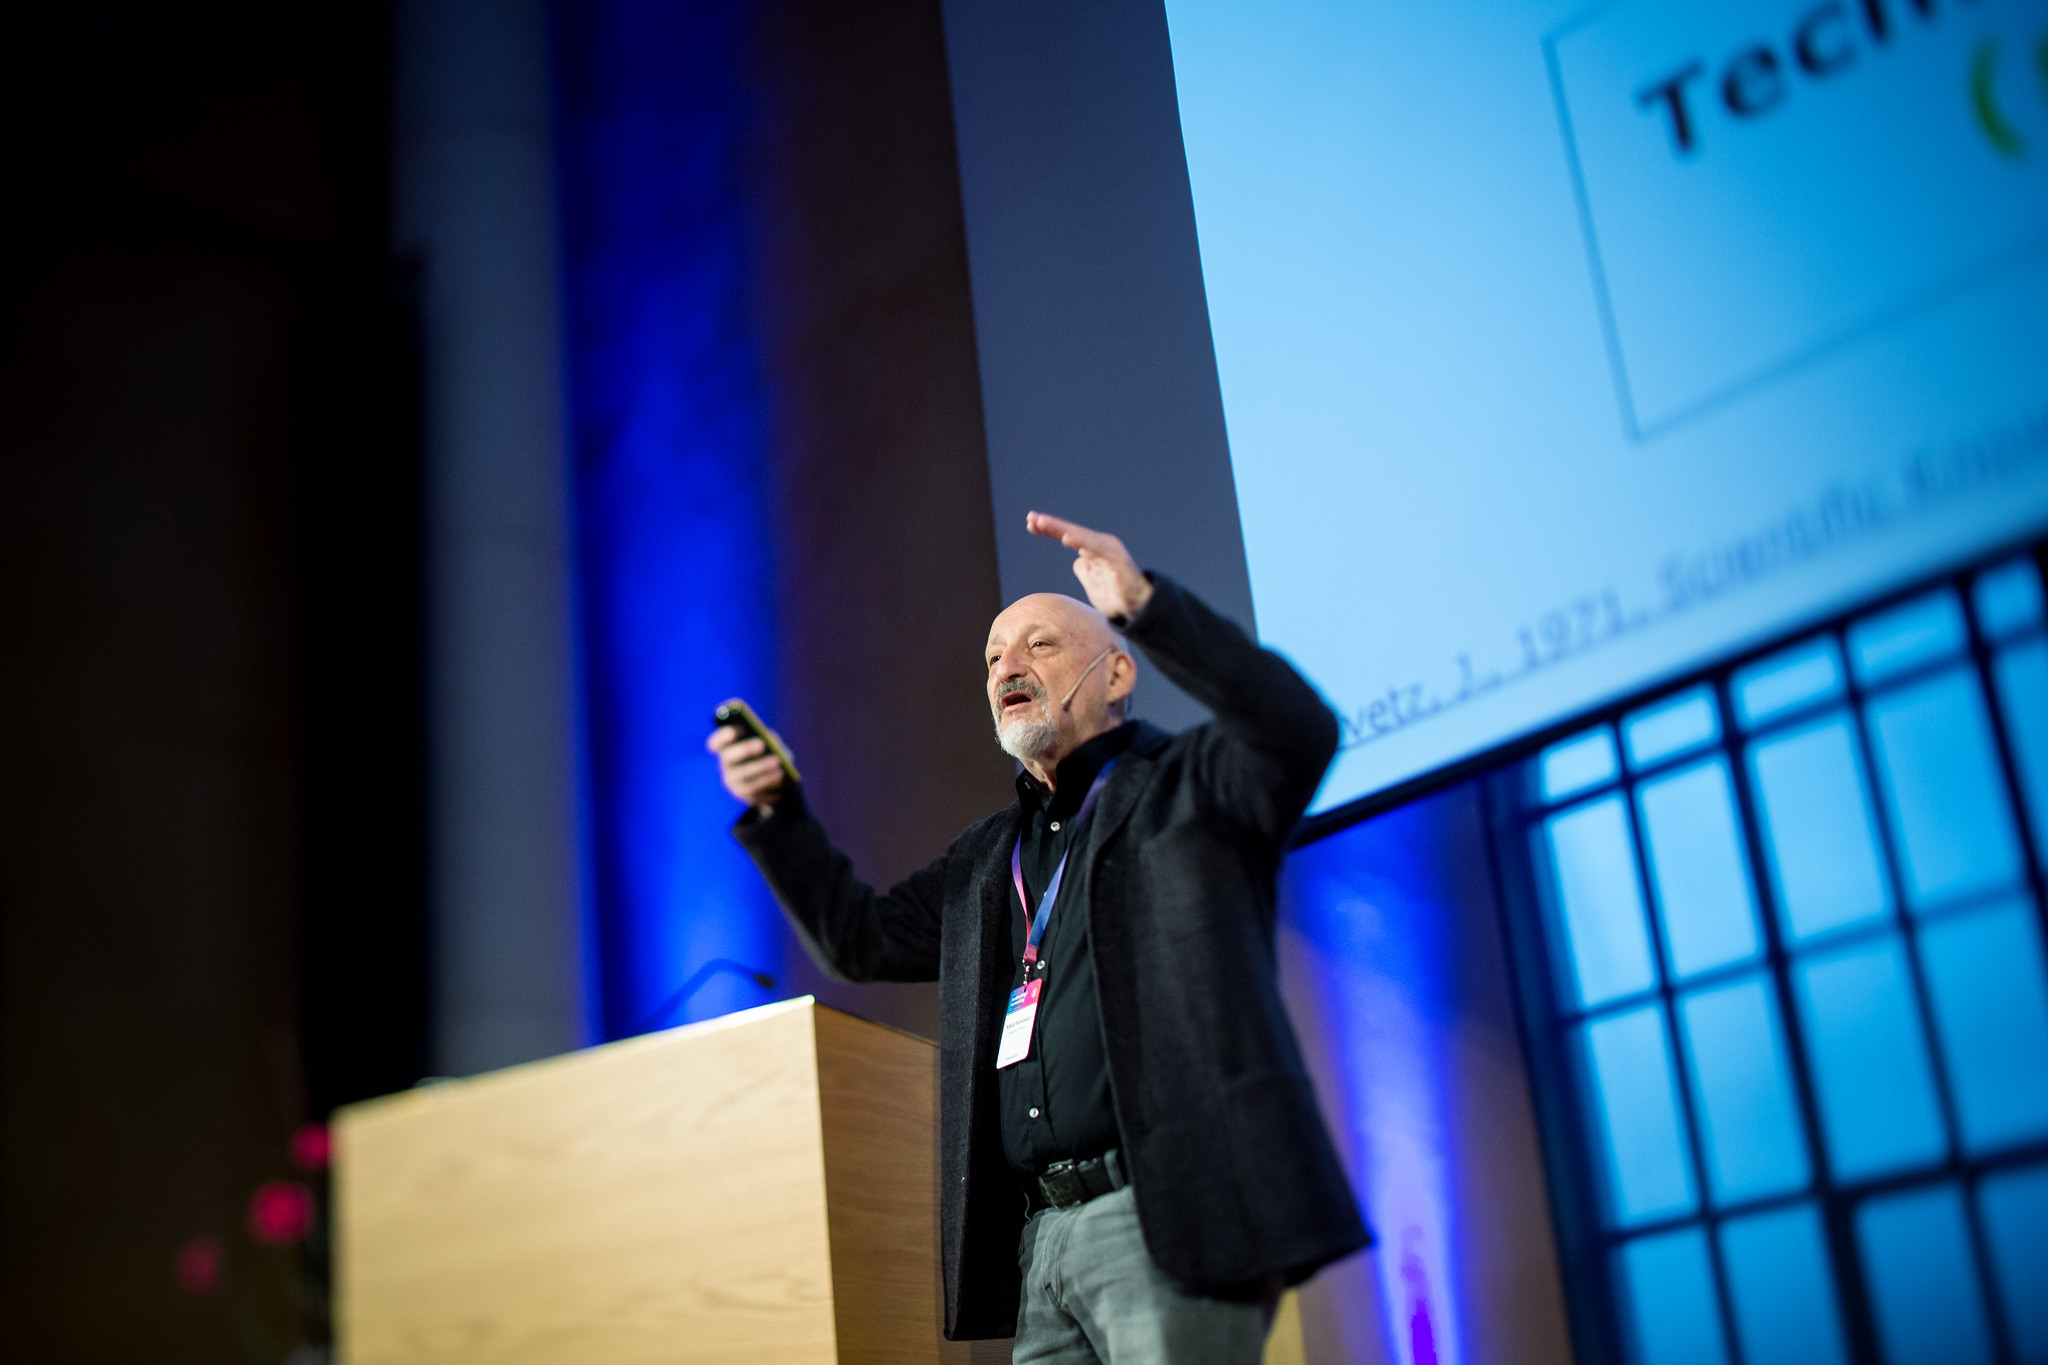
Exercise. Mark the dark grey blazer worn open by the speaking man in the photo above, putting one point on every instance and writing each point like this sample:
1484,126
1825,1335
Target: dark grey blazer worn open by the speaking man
1234,1174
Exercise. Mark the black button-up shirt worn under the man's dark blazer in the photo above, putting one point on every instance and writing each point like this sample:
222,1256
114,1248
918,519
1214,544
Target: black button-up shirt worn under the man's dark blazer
1056,1102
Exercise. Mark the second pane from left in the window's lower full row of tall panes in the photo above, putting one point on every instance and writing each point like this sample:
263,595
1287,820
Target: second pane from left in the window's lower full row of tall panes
1744,1088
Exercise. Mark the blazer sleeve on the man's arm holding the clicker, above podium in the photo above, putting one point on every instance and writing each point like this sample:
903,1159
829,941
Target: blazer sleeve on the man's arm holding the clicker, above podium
853,930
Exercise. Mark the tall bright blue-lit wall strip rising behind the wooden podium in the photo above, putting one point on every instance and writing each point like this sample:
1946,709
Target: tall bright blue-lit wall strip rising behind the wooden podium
667,414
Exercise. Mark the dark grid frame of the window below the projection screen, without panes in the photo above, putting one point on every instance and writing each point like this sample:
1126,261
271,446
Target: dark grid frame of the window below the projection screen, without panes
1572,1139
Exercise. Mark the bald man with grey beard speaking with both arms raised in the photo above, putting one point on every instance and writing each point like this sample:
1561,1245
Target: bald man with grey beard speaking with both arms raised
1132,1159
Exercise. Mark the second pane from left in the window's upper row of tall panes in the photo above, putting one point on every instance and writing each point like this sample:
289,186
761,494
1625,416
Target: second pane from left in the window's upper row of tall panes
1699,867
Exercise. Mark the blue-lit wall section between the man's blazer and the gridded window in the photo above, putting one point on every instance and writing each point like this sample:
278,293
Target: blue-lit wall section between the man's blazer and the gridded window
1398,977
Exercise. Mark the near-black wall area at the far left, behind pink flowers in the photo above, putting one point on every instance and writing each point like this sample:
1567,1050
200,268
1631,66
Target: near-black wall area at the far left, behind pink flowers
210,842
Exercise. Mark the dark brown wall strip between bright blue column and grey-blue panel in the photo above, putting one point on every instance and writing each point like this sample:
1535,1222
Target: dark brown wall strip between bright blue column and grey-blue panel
886,543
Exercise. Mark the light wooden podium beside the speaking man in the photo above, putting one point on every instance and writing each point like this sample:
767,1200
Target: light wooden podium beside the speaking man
757,1190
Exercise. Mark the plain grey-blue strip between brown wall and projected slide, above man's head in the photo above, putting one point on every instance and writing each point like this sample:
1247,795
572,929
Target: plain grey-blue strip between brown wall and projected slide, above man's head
1099,376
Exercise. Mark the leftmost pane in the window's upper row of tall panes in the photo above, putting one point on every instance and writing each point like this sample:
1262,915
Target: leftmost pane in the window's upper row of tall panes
1601,901
